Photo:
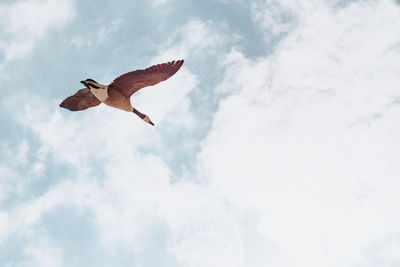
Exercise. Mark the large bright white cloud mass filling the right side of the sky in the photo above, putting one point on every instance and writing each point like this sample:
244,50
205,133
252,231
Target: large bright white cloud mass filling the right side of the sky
308,136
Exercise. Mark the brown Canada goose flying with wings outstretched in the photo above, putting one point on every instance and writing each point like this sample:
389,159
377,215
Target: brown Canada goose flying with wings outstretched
118,93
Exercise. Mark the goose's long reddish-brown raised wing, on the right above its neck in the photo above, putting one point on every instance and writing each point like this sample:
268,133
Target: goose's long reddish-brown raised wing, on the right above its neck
131,82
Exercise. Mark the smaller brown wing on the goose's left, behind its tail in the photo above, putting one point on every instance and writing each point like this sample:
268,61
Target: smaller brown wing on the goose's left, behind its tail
81,100
